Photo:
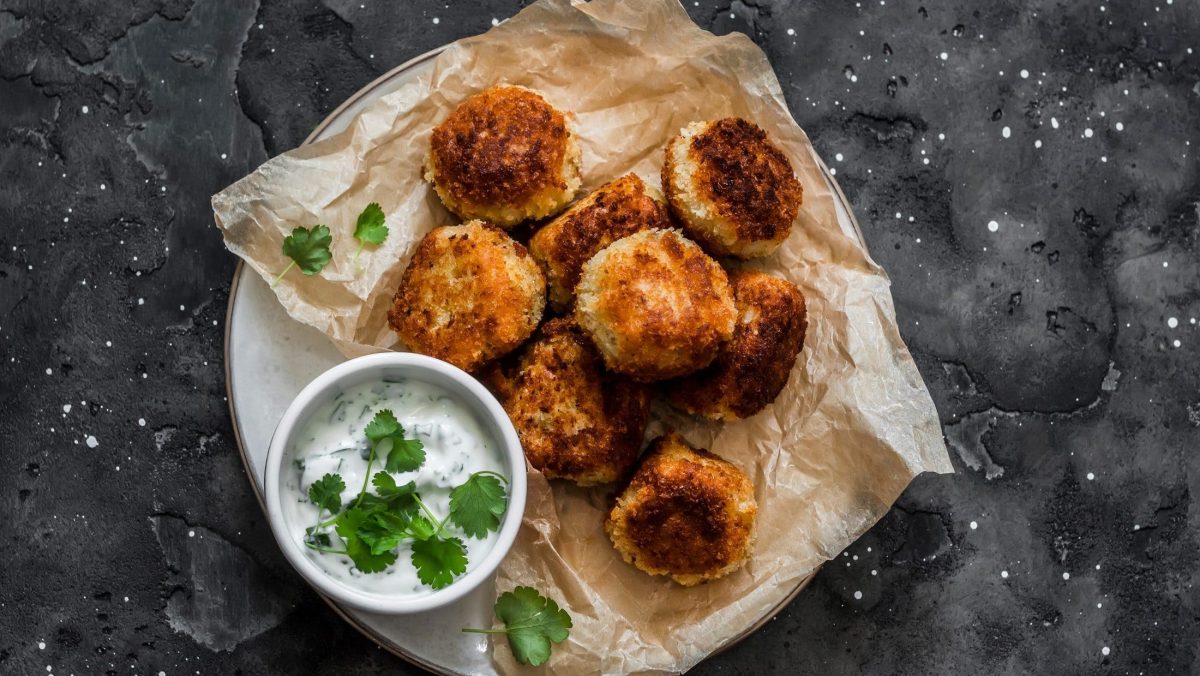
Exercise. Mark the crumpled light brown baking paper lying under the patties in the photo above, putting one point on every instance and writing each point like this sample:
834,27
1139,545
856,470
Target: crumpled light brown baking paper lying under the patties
829,458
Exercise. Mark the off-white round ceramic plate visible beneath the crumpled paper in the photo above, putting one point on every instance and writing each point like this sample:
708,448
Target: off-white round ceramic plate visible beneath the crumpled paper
271,358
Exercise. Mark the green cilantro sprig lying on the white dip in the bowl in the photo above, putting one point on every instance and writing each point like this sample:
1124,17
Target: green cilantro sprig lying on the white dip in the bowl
373,525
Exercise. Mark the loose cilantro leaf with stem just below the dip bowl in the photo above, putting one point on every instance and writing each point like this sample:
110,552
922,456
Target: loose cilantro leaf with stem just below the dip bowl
532,623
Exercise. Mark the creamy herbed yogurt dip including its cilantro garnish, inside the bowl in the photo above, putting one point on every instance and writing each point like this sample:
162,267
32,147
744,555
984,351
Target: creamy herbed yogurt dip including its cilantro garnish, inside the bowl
394,488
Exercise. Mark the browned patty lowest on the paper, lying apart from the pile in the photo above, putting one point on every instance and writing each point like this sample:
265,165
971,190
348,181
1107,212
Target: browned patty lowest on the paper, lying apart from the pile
686,513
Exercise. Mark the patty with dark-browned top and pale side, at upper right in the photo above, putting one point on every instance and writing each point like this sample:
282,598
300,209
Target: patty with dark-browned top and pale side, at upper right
733,189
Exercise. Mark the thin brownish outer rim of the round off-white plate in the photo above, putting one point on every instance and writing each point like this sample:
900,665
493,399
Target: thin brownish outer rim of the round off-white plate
250,471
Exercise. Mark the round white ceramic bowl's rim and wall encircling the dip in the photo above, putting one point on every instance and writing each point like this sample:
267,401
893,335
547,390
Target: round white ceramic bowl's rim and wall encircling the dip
395,366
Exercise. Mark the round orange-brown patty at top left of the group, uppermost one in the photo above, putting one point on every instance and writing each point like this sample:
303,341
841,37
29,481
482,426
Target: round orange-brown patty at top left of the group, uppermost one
505,155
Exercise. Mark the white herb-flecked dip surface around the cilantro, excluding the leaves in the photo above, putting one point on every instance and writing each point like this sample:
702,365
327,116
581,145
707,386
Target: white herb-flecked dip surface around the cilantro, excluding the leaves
334,441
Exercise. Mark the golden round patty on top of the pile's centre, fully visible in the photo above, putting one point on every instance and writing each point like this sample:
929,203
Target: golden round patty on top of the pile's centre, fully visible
656,306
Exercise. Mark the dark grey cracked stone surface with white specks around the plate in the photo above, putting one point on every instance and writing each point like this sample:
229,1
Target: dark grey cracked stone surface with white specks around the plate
1070,399
